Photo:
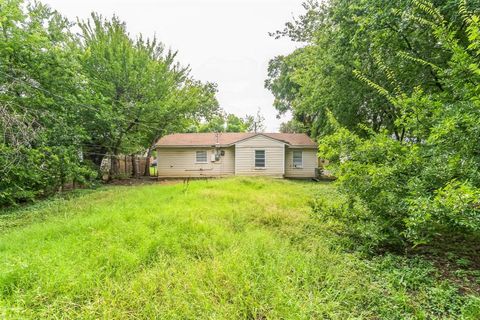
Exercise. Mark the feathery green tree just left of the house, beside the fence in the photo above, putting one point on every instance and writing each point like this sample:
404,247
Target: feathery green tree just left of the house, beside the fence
140,92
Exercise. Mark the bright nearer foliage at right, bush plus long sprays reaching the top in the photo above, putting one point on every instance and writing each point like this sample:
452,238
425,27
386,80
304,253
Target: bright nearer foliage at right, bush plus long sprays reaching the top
427,184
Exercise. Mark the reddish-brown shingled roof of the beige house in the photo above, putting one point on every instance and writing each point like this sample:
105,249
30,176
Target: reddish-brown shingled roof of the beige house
230,138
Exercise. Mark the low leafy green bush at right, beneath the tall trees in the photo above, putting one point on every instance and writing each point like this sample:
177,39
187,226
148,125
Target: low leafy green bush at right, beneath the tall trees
396,195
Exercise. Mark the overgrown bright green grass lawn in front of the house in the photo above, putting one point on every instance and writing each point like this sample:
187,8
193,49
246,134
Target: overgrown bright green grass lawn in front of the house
220,249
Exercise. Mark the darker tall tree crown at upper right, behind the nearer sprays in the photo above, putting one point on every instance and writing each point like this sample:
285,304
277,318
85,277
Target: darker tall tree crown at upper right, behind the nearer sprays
369,38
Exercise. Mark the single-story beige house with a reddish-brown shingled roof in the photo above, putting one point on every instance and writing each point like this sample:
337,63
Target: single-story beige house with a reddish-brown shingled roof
280,155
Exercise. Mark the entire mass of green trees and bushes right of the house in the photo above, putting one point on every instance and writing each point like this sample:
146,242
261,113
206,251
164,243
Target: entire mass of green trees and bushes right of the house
391,90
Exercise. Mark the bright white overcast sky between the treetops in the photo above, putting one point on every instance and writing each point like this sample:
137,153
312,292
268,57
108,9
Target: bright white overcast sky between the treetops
224,41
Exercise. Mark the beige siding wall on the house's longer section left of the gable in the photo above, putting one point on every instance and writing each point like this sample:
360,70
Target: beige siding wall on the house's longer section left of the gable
180,162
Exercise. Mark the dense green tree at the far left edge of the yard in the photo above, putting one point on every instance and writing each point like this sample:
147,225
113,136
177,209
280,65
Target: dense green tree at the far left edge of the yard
40,99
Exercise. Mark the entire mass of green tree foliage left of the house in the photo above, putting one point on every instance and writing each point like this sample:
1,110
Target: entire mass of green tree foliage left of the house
68,100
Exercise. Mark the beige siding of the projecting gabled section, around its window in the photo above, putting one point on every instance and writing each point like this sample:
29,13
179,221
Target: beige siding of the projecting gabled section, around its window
274,157
